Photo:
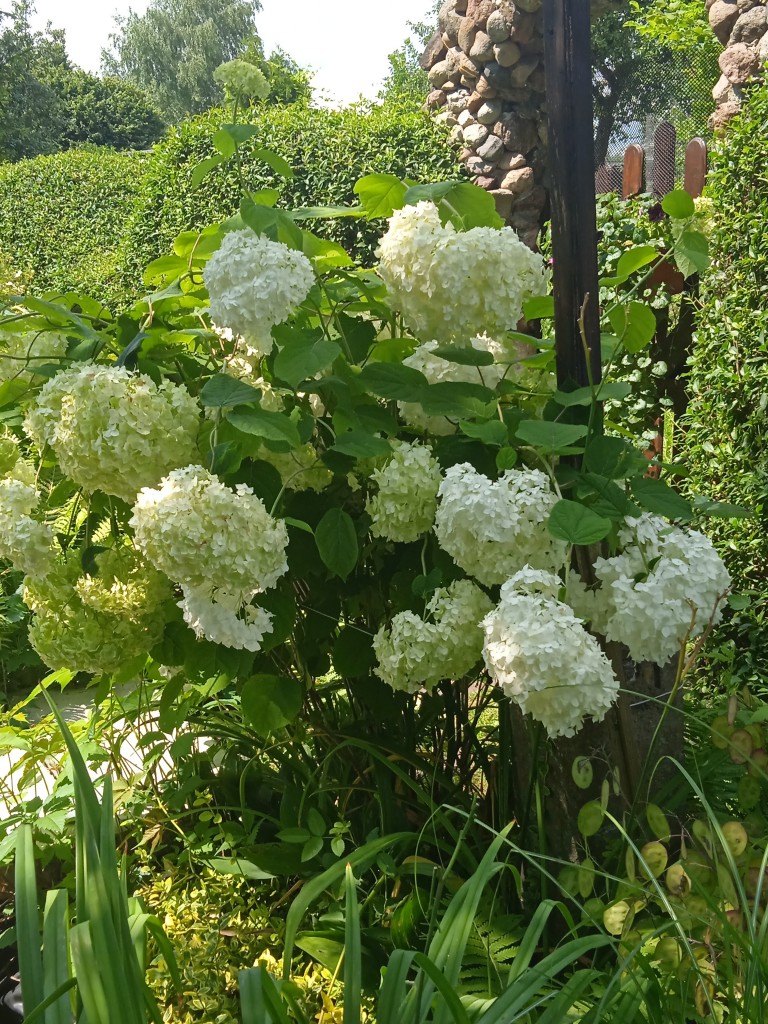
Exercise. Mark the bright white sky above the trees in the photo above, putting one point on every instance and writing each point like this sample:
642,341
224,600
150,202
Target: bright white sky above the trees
346,42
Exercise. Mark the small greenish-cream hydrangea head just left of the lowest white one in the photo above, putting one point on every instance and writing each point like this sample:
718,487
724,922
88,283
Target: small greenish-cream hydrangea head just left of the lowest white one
415,654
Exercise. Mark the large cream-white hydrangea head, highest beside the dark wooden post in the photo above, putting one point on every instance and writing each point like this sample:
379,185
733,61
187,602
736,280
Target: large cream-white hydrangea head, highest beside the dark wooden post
451,285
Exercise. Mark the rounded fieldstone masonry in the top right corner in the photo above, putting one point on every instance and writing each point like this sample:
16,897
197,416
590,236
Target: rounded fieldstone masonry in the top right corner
742,26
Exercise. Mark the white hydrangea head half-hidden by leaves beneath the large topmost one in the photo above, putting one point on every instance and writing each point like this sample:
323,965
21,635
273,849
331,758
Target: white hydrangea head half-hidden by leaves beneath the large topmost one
437,370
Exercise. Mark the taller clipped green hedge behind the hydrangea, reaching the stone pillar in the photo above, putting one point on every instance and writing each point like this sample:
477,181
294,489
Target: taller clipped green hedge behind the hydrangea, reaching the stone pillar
328,150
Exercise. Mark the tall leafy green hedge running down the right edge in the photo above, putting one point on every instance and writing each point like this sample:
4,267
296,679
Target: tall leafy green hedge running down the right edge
727,447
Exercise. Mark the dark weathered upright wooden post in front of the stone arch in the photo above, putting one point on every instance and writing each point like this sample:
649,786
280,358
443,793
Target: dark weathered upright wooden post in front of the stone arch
568,66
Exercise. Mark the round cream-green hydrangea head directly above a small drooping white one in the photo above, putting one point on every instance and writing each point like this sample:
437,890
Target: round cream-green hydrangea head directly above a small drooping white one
203,535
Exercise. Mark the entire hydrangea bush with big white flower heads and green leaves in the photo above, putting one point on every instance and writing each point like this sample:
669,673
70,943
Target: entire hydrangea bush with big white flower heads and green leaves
275,449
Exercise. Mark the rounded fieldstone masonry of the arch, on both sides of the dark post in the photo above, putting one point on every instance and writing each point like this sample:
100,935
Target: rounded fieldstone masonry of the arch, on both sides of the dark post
486,70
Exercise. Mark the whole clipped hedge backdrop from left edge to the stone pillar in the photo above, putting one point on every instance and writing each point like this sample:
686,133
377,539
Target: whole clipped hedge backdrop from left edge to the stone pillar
91,221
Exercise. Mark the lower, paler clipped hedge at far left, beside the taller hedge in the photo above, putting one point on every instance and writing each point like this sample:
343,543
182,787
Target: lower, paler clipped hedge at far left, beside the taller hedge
63,219
